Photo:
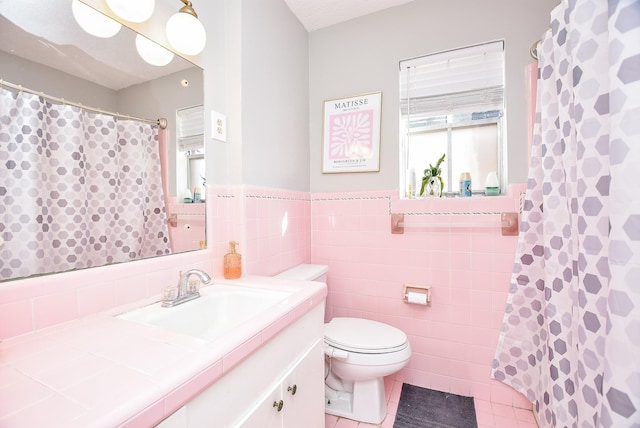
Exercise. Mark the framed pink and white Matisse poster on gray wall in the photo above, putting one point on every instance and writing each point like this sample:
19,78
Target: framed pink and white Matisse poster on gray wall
351,134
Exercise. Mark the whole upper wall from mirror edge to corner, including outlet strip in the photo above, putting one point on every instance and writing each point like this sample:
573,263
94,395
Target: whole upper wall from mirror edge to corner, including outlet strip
256,73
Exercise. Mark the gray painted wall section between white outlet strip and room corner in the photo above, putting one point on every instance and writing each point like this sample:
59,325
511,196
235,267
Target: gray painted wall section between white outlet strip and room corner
275,96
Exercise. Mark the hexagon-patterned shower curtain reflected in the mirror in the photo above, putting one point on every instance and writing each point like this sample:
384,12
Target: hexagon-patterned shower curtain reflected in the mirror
79,189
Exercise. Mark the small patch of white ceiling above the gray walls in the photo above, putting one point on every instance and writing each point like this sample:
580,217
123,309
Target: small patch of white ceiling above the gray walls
316,14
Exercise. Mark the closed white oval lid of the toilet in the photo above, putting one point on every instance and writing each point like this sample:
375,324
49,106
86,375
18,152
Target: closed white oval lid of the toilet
364,336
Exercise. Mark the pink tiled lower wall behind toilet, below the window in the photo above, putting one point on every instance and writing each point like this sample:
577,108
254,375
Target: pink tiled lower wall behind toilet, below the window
468,268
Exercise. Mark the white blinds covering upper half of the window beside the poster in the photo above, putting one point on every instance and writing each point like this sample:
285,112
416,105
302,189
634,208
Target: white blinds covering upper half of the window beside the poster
462,81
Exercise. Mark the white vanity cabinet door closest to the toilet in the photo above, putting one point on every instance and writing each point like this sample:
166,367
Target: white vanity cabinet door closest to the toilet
303,391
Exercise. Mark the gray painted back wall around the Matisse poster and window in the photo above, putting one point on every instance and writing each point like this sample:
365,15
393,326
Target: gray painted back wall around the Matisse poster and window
362,56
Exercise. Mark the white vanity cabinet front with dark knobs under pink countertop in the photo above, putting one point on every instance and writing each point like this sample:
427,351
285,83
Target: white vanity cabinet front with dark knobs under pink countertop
245,396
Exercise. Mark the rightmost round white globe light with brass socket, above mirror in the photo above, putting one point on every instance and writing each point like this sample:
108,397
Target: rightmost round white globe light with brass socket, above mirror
185,32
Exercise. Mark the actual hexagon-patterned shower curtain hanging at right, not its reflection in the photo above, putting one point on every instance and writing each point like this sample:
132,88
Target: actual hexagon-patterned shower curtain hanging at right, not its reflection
571,334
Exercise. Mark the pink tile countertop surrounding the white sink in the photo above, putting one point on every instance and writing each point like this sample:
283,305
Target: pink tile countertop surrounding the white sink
101,371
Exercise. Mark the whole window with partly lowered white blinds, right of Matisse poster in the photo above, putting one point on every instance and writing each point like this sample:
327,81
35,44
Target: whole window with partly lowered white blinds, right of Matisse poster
452,103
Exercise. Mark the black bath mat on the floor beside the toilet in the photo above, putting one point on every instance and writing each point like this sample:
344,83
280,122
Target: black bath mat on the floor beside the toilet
426,408
